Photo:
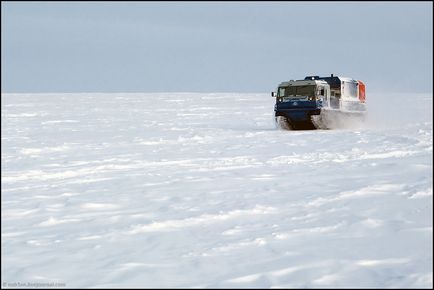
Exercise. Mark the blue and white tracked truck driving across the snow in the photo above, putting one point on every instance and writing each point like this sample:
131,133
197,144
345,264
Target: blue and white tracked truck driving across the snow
319,102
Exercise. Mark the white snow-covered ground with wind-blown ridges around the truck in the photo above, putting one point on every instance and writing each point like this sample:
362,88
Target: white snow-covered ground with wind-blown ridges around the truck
200,190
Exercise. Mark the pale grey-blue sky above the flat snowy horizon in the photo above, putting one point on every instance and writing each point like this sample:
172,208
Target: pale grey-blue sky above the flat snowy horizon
213,46
